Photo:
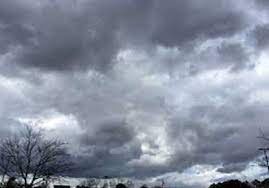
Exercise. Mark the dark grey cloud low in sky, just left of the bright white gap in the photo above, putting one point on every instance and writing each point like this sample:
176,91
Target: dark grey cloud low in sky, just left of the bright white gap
107,150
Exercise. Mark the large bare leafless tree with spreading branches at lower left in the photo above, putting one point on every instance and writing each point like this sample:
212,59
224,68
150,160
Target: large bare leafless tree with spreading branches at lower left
32,158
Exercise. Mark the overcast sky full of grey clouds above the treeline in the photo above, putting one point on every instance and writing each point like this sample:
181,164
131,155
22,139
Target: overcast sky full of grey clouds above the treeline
174,89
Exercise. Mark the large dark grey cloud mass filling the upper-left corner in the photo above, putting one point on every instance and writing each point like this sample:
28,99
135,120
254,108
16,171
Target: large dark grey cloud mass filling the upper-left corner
58,36
